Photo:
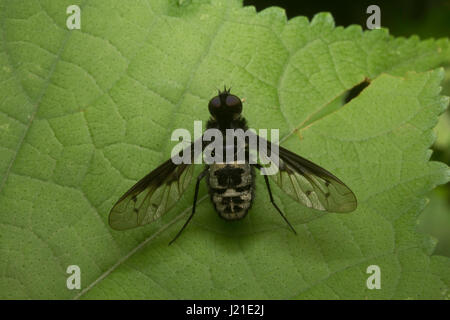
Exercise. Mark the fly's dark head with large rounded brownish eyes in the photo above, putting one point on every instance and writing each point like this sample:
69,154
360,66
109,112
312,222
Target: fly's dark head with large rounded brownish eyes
225,107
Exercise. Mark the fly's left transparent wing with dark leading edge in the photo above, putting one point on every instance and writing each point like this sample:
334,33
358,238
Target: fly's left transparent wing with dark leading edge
152,196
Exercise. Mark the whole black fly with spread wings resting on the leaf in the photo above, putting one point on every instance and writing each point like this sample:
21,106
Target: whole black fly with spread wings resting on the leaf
231,185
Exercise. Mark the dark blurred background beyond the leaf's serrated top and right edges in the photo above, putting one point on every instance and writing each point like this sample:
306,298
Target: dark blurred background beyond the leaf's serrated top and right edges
425,18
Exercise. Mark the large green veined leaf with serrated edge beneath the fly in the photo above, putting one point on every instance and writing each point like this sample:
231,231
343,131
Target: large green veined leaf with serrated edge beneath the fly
85,113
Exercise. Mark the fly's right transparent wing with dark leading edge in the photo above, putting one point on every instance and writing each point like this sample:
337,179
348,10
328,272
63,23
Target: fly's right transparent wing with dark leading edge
310,184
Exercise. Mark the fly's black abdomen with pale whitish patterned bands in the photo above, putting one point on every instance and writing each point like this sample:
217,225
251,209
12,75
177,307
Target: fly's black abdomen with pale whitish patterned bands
231,189
